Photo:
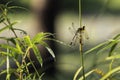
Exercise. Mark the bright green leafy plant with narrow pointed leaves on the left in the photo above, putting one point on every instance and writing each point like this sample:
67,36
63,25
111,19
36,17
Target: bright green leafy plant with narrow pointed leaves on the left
18,48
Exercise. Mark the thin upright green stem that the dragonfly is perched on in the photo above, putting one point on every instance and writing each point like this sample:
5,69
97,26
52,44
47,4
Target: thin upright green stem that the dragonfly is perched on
81,38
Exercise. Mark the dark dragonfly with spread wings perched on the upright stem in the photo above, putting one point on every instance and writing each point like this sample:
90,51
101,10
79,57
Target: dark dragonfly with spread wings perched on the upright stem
78,34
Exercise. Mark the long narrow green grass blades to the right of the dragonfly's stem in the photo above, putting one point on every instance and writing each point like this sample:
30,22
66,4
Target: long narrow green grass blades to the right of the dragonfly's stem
110,47
